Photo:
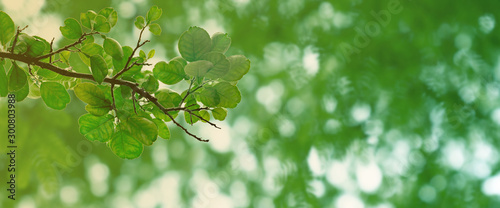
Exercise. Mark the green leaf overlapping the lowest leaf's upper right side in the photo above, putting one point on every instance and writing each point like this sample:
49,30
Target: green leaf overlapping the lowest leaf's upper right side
142,129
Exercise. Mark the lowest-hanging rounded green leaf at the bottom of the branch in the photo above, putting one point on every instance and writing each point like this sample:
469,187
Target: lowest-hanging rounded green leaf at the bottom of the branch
125,146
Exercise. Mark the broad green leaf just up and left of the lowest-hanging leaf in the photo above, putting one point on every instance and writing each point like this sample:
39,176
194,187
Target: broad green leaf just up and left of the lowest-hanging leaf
96,128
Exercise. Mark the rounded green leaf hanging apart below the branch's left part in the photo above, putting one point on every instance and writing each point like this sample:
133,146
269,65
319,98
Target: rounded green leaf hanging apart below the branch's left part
54,95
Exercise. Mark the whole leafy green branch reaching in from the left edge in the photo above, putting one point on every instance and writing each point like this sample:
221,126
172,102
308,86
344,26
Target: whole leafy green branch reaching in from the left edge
126,108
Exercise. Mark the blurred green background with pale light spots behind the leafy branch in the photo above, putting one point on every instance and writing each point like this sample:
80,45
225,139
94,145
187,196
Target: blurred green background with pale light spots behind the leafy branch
348,104
